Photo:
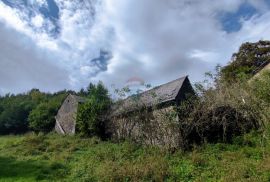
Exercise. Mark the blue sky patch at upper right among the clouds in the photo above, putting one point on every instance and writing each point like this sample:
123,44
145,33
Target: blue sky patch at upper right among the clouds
231,22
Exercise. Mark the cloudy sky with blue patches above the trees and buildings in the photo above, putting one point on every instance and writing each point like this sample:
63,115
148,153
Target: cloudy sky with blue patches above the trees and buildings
65,44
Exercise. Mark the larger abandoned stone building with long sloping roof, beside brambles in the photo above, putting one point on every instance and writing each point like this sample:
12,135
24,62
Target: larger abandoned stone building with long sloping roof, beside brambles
150,117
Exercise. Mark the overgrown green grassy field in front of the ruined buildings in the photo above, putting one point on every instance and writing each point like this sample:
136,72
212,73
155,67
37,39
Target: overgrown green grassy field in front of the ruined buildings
56,158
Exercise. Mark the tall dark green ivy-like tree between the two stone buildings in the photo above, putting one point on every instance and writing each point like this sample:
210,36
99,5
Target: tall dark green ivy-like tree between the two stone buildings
91,115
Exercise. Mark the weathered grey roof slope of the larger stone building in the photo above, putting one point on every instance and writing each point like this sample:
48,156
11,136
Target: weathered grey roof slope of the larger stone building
158,95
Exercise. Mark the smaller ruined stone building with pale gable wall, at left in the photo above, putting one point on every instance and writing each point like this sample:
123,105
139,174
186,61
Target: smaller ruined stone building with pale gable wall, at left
66,116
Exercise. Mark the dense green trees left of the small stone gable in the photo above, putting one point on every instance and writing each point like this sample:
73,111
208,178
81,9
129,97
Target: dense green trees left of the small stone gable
33,110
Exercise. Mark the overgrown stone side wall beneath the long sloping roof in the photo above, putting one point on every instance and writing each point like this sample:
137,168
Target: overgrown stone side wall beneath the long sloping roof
158,127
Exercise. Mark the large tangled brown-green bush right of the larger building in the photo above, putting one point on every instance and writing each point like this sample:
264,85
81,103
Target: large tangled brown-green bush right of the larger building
224,110
